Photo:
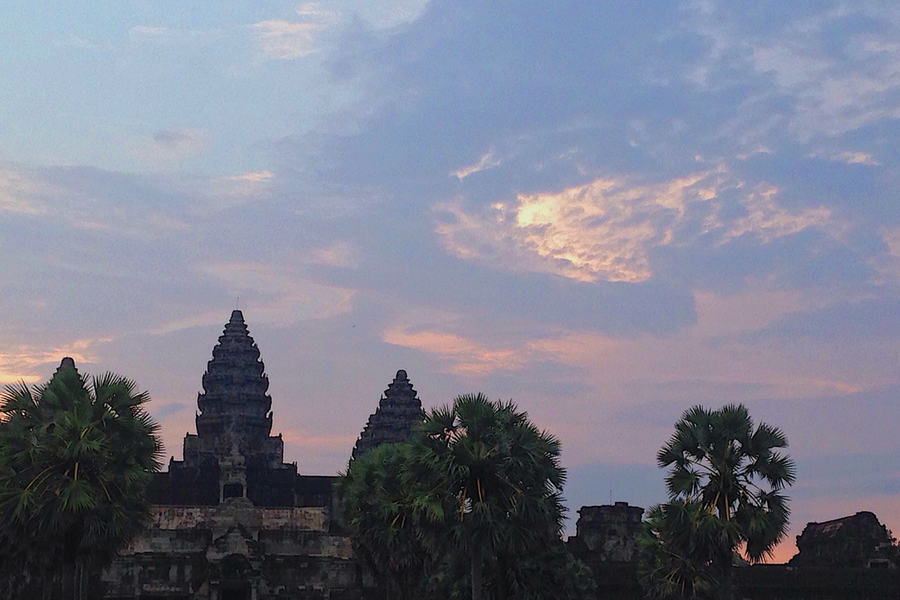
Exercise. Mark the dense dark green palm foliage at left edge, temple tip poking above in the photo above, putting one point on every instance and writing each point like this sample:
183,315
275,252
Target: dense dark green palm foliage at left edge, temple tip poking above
75,459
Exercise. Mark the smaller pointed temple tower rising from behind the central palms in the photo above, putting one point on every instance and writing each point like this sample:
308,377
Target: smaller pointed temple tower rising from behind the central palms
398,411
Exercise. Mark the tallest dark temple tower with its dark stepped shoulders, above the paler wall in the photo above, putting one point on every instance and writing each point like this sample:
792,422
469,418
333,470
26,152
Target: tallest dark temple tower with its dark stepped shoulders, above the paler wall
233,454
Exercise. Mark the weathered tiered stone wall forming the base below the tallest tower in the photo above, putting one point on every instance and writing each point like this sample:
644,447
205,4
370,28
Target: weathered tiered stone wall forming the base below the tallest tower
233,551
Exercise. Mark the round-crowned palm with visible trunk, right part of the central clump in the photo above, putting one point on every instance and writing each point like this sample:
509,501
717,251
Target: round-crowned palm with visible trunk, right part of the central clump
491,474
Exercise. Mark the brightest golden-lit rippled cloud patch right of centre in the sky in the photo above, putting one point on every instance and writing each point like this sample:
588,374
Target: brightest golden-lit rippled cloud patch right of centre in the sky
606,230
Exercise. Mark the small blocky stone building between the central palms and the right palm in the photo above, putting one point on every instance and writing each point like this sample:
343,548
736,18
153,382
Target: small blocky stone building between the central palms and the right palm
607,533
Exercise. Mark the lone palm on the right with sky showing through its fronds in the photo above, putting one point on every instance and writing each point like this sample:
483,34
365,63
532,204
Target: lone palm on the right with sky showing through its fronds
732,471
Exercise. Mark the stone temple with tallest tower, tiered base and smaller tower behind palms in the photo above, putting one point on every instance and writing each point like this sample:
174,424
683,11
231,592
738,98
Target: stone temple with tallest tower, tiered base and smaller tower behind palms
232,521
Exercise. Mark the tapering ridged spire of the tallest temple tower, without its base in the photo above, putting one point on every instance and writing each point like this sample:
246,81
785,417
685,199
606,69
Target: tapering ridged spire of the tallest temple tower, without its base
234,400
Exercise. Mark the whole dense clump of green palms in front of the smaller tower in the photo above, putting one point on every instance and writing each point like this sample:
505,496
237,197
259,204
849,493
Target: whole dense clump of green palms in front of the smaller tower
470,507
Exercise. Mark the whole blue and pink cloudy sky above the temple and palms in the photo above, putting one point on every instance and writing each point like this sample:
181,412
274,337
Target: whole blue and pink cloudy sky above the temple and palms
606,211
